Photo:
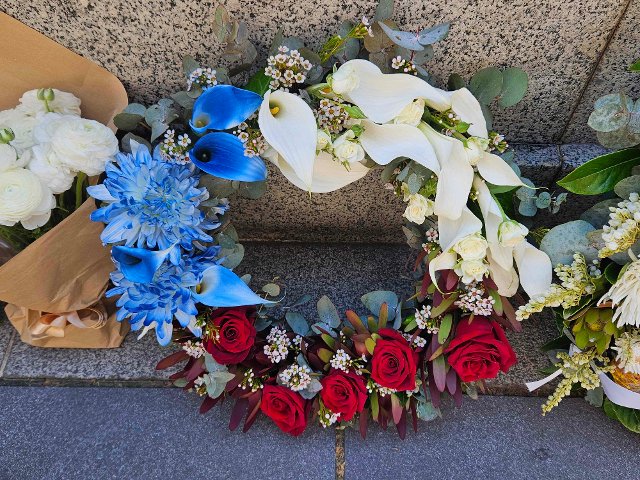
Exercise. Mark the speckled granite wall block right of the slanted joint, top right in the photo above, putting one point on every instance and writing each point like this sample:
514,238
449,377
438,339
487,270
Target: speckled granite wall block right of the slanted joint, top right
612,74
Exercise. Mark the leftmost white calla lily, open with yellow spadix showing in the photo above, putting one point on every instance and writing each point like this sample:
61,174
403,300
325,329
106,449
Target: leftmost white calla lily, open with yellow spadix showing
292,132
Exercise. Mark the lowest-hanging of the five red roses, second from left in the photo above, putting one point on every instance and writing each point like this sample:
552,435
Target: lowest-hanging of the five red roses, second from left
285,407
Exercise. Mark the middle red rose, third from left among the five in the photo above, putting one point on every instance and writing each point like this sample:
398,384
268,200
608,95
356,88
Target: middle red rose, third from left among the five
343,393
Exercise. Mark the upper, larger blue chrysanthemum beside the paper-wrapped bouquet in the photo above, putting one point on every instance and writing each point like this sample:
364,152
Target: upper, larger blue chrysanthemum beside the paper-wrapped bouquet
152,203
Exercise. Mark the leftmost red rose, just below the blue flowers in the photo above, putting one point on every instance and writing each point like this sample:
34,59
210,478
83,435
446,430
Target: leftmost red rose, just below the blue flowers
235,334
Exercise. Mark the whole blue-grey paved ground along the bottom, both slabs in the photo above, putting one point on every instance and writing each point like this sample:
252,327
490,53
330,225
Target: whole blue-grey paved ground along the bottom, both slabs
136,433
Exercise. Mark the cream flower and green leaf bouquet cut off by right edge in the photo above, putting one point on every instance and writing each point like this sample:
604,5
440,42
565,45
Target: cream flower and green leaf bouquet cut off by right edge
596,299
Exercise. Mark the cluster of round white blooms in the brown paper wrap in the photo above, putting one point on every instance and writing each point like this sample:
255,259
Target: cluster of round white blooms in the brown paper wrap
44,144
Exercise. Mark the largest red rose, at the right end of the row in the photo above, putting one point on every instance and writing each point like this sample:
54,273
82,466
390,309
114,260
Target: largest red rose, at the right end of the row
479,350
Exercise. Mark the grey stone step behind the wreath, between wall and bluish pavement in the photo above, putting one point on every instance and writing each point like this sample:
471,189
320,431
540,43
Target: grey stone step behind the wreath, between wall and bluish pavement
341,271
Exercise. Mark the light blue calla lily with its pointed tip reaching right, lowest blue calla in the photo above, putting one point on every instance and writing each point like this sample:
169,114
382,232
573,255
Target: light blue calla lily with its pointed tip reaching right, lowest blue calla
221,287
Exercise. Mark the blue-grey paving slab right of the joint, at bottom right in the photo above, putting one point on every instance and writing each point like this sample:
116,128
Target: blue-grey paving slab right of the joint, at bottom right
497,438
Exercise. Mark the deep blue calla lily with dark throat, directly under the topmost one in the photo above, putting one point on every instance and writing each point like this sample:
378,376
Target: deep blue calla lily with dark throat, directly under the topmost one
222,155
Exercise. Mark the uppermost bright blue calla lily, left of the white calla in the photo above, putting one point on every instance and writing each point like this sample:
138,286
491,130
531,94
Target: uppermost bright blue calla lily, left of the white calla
223,107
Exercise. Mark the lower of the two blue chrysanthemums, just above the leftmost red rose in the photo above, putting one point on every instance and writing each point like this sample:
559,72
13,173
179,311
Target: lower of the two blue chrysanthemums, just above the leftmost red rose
168,296
